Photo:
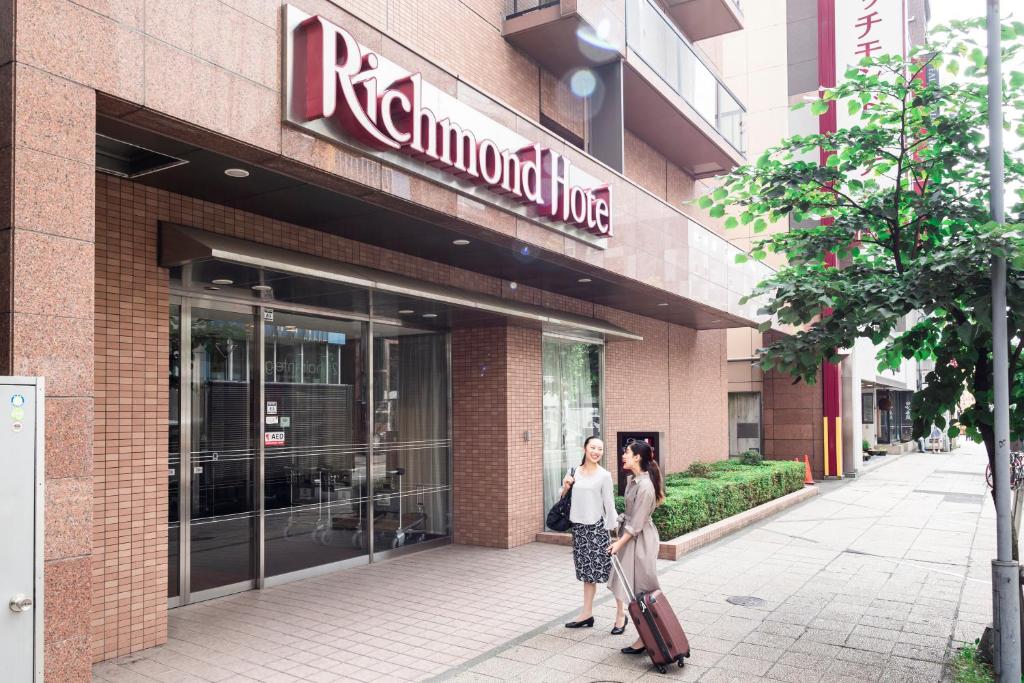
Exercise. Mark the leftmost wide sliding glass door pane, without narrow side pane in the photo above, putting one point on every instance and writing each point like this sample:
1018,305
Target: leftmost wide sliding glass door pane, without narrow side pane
222,452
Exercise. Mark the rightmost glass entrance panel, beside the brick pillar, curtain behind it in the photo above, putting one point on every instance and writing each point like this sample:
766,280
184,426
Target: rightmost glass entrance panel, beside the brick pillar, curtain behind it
411,440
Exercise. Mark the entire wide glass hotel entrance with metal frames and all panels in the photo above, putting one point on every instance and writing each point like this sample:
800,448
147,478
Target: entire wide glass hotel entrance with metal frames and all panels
300,444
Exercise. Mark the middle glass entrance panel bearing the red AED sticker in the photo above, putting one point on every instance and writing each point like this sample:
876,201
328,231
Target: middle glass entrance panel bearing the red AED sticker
315,443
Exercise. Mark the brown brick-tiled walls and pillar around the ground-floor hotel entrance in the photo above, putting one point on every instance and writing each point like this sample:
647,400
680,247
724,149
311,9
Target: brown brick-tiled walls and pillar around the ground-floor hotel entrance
679,390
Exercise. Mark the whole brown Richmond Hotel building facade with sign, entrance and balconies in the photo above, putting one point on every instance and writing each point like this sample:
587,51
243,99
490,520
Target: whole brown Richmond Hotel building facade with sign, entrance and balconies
301,277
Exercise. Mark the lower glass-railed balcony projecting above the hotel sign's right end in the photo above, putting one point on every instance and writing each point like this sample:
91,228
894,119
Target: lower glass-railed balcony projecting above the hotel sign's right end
671,98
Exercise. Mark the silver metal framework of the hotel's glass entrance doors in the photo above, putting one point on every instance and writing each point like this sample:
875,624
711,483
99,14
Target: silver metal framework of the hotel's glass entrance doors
188,301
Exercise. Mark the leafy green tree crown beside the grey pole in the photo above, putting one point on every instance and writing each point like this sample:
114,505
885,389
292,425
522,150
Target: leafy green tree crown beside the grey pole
903,202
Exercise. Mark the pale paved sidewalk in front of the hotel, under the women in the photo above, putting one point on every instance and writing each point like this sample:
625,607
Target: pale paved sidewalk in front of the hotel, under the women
875,580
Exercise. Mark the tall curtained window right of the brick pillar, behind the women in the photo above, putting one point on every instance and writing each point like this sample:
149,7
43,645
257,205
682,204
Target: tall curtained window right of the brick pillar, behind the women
572,407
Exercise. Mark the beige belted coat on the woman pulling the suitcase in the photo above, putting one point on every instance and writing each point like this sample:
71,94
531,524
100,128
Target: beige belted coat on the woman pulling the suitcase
639,557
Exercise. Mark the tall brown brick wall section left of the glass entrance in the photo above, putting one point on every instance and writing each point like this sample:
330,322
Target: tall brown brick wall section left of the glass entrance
130,567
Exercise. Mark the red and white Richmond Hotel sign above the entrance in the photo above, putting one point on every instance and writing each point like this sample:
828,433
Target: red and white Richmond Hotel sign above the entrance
346,93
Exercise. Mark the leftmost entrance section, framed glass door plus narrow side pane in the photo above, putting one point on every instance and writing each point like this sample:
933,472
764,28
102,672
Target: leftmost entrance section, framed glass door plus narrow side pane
212,476
